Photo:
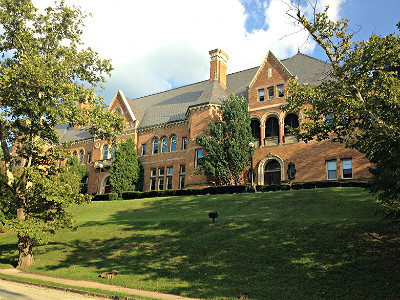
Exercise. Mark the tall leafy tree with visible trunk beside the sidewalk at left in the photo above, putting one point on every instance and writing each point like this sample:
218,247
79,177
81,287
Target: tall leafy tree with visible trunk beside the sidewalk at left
46,78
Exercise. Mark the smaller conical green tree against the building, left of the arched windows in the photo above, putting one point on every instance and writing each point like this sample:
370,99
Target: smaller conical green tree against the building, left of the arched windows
125,168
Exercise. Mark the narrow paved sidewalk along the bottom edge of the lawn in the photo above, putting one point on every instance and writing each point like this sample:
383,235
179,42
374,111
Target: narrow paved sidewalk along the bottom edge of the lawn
96,285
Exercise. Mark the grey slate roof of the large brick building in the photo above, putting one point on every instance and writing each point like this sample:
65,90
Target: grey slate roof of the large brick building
172,105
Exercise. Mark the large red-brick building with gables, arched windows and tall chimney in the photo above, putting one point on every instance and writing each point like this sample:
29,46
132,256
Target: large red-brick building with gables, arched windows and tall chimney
165,125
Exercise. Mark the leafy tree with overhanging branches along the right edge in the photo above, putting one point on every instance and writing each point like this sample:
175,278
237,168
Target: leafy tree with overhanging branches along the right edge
358,105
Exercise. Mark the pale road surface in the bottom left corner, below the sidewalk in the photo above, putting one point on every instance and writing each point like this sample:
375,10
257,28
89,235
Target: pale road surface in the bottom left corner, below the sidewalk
21,291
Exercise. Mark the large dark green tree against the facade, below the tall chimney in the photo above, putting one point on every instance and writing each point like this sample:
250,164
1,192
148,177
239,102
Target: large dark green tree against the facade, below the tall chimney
226,144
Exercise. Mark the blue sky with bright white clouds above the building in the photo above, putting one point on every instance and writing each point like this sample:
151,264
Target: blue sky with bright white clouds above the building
156,45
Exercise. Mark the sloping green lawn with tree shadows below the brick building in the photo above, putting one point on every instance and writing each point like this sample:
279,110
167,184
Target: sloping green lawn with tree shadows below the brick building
308,244
